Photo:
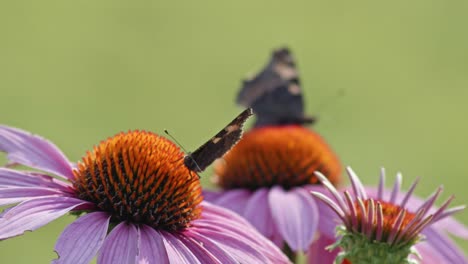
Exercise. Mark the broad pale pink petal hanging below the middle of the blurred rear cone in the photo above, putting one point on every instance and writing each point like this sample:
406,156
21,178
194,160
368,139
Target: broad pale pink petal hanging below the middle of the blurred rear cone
296,216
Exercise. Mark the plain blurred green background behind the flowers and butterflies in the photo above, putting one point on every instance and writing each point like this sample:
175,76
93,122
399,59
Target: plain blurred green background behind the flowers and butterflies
77,72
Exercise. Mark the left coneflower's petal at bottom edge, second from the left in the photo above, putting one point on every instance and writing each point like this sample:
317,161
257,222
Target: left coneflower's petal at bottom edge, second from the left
120,246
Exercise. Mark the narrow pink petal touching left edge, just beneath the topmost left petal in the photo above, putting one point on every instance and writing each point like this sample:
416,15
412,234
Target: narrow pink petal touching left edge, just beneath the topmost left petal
15,178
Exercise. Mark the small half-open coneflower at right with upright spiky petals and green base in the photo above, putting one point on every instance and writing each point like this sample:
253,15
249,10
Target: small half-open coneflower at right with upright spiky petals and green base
376,228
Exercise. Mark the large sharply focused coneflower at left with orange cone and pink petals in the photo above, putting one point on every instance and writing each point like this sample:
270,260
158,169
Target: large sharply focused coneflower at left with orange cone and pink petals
138,204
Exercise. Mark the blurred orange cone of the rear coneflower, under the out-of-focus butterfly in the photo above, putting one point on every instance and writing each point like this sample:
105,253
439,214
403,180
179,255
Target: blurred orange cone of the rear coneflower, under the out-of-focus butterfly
277,155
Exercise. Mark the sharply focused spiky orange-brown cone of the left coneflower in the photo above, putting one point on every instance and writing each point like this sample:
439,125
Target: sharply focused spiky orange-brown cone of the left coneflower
139,177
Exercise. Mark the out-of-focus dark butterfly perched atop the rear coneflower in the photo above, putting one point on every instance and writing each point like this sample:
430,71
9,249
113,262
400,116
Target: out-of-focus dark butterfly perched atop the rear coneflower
275,93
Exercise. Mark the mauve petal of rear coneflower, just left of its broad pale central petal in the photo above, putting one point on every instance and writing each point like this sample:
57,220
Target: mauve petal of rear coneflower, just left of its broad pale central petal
258,213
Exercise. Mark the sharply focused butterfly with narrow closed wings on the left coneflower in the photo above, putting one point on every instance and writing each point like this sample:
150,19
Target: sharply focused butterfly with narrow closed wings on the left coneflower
217,146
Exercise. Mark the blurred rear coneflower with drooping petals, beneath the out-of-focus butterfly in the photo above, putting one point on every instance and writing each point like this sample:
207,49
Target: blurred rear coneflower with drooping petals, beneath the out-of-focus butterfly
267,178
